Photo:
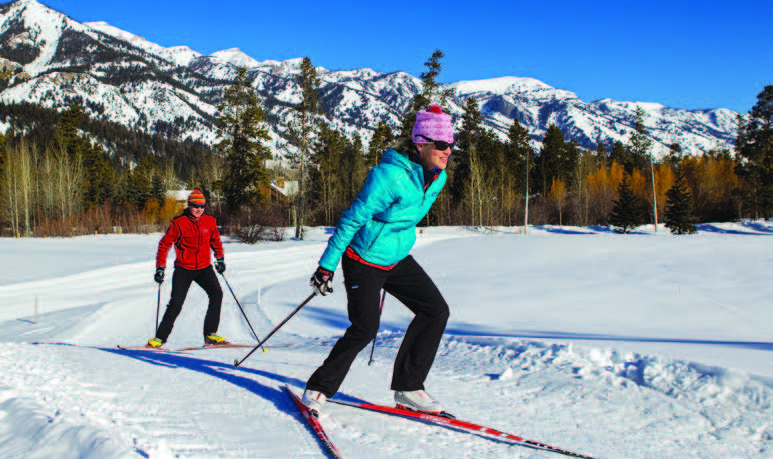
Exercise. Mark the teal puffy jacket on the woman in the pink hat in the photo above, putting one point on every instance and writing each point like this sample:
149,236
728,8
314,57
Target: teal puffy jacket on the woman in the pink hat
380,225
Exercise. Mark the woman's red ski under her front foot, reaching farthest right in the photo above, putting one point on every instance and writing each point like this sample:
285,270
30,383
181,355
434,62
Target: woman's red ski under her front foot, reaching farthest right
457,424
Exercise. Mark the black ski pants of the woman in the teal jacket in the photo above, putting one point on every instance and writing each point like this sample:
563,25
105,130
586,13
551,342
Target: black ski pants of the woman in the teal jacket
410,284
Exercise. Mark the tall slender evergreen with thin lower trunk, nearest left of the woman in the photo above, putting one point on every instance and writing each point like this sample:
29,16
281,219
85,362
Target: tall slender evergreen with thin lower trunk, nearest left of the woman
303,131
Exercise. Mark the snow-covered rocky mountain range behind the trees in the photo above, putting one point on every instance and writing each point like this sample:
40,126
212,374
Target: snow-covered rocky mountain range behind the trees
121,77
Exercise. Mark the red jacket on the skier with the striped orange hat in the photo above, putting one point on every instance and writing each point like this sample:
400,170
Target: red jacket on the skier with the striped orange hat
192,240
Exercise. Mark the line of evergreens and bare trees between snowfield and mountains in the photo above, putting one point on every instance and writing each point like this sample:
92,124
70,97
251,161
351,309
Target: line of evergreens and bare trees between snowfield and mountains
57,177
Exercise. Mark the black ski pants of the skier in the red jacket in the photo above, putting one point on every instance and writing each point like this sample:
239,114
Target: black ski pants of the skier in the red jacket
181,283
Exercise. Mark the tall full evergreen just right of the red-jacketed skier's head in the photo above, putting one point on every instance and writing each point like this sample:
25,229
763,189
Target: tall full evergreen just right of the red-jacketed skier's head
241,128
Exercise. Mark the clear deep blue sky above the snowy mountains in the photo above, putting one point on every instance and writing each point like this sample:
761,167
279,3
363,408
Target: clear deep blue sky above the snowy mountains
683,54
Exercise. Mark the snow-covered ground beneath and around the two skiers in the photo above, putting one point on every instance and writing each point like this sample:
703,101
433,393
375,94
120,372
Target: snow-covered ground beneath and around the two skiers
640,346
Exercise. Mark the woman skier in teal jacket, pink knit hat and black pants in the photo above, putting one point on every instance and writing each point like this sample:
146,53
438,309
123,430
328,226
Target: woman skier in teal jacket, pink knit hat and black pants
372,241
